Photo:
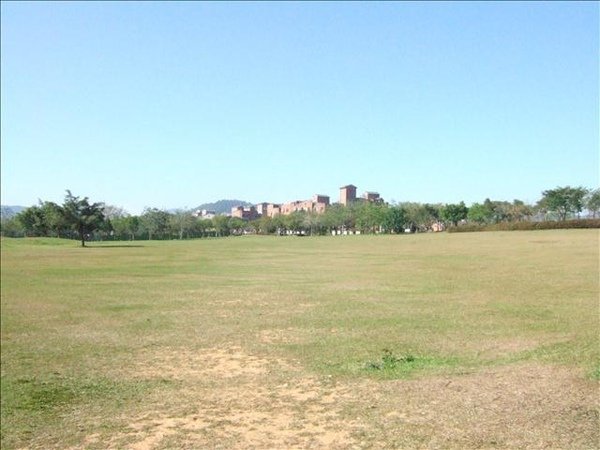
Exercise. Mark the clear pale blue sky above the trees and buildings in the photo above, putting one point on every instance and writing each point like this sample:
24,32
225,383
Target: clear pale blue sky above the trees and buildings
175,104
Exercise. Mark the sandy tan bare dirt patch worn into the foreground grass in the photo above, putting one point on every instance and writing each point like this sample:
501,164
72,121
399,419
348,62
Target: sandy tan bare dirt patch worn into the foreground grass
236,400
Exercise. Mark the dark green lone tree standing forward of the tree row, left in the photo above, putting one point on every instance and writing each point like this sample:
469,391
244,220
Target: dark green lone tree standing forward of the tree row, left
82,216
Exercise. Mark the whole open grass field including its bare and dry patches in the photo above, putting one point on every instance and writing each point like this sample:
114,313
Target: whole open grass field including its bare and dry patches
475,340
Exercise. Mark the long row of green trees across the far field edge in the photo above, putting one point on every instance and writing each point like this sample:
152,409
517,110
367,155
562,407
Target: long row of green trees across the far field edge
78,218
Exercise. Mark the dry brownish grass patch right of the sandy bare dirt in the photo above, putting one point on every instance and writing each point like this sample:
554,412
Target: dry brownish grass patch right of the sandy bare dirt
525,406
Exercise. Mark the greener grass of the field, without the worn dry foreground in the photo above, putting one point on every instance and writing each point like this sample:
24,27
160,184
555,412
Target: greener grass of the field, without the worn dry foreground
444,303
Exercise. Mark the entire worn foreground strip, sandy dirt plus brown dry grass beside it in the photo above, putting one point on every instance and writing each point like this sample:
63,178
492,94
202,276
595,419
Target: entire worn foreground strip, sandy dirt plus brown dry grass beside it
233,399
